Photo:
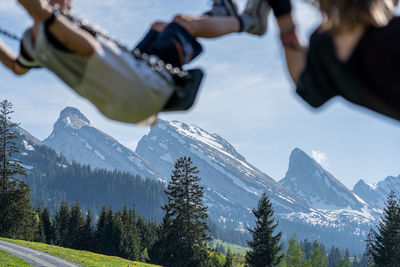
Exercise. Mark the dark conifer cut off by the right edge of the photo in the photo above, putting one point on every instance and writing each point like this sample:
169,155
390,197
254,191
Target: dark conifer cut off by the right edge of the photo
383,244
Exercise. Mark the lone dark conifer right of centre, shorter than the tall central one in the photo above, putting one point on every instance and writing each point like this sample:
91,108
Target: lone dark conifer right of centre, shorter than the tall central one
264,247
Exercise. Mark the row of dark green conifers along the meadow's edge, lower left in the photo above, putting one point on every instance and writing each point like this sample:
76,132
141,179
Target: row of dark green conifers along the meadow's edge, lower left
122,233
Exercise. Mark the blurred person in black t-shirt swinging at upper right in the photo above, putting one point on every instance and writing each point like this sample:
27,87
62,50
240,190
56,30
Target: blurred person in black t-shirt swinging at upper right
353,53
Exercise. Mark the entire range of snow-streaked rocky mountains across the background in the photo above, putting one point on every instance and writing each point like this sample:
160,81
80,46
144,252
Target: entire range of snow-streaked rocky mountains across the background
308,200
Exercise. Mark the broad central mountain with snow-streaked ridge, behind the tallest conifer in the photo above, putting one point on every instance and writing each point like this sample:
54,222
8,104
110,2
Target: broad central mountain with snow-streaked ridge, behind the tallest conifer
233,185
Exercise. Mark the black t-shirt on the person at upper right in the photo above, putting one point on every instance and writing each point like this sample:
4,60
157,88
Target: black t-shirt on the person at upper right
370,77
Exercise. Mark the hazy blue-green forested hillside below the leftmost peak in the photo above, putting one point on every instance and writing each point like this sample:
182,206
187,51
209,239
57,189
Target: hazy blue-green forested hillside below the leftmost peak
53,179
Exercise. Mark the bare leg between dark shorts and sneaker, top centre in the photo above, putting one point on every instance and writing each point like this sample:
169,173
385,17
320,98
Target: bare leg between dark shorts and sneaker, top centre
207,26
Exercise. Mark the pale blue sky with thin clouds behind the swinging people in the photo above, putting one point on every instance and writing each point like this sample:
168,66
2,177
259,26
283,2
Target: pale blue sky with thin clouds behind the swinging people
247,97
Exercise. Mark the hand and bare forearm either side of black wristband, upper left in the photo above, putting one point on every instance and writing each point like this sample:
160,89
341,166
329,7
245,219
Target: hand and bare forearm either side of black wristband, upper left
74,38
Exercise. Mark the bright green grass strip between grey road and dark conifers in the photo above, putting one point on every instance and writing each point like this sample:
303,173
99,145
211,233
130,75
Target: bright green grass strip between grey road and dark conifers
84,258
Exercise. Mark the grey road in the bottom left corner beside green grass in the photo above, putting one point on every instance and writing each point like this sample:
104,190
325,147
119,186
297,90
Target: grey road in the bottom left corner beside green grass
37,258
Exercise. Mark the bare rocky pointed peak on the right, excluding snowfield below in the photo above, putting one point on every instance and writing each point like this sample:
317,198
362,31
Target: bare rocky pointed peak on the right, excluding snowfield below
319,188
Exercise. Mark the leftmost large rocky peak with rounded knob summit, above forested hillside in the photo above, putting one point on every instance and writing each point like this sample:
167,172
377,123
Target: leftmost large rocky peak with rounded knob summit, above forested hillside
77,140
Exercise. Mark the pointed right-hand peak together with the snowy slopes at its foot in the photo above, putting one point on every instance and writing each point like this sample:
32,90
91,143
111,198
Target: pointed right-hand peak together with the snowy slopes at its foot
333,206
